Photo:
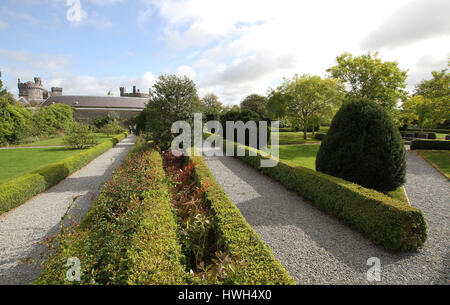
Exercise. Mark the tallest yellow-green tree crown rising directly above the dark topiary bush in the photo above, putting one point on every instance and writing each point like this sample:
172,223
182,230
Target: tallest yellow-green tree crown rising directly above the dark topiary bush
368,77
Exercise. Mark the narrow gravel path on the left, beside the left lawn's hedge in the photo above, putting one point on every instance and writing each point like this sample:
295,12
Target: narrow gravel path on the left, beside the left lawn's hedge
24,227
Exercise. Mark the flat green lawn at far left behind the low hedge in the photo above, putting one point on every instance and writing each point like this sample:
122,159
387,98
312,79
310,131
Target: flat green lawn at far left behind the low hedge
17,162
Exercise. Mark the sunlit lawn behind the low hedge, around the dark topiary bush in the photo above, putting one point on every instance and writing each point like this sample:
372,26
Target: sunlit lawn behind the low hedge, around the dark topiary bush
305,155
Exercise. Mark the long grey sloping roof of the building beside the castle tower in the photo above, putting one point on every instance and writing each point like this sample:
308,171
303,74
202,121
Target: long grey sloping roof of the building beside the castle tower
98,102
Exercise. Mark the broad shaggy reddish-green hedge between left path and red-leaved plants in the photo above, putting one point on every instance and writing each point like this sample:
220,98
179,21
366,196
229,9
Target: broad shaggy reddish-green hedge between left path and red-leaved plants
128,236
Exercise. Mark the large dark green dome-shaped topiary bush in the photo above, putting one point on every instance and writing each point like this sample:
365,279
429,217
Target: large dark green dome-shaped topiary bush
364,146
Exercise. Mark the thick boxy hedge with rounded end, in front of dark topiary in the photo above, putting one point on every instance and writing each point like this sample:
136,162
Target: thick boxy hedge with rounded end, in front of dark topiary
387,222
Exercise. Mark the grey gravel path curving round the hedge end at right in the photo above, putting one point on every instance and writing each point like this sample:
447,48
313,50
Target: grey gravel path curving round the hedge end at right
318,249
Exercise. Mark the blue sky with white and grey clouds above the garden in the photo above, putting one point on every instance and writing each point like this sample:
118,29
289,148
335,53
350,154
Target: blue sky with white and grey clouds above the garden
231,48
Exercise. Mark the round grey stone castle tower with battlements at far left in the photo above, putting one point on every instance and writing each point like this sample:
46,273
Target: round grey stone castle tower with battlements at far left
34,92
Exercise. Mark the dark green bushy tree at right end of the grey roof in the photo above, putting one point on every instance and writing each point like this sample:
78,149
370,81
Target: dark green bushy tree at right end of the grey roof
172,99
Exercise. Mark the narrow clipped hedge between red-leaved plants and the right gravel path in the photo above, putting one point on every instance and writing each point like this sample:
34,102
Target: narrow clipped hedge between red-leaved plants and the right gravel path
238,236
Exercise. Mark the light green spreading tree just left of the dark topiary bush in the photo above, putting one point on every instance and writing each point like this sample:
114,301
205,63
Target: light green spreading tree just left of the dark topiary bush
308,97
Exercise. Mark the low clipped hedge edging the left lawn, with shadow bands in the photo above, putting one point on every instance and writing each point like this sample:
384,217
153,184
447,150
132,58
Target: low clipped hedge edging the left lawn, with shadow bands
16,191
